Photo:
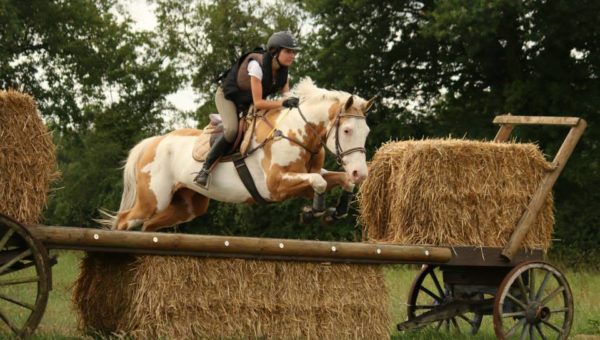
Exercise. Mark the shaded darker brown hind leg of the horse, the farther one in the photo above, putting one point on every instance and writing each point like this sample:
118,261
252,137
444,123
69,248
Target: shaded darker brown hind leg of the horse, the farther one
185,205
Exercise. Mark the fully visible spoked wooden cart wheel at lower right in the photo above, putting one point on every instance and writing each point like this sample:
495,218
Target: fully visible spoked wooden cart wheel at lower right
533,301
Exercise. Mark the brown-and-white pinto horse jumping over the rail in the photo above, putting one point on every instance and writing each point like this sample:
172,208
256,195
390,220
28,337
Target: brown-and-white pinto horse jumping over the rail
288,153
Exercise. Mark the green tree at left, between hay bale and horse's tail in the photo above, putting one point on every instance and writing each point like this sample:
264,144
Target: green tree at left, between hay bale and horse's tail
100,86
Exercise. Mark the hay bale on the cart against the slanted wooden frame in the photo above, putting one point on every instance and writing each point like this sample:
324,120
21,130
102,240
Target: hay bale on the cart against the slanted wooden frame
453,192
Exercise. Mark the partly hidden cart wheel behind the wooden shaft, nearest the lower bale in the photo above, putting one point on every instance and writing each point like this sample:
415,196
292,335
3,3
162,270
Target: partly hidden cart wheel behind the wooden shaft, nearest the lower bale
427,293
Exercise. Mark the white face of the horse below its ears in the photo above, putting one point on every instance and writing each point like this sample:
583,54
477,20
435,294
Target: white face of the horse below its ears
353,133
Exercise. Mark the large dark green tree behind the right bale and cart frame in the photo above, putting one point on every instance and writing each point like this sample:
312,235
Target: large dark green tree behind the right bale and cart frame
451,66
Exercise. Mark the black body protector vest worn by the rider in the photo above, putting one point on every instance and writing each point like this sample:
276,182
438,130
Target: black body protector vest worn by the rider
236,84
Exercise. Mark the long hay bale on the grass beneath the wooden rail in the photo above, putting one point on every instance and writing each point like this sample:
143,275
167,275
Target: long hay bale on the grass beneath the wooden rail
191,298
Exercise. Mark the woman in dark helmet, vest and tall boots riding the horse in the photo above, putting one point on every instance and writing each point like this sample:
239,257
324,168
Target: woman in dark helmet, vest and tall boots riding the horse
249,81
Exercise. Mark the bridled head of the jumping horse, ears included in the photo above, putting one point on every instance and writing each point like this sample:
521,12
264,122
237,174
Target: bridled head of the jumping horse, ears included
347,135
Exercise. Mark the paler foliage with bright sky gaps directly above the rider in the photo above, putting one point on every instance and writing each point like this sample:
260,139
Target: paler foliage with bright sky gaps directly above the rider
210,36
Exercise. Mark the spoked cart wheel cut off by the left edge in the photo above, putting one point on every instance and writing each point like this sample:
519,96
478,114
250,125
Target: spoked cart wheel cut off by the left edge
24,280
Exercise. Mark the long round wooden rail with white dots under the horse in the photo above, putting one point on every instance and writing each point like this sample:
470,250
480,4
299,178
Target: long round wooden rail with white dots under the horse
227,246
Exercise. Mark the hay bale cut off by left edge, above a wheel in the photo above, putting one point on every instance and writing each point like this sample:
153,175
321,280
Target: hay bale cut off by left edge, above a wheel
27,158
